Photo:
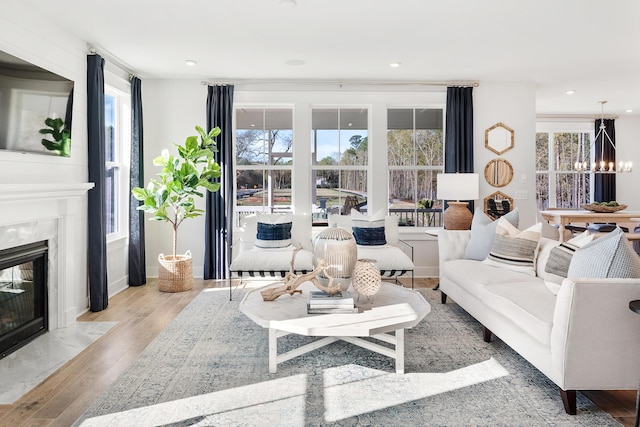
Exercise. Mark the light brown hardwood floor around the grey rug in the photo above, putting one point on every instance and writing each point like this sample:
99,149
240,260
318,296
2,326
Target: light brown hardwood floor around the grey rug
141,313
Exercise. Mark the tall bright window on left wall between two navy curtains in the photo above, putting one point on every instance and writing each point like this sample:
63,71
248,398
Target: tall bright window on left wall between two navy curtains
117,141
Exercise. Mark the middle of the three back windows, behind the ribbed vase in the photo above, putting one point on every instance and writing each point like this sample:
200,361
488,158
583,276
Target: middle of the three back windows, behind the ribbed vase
339,159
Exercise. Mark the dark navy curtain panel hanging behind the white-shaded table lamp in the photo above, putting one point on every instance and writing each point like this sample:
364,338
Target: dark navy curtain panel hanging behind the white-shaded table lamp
458,151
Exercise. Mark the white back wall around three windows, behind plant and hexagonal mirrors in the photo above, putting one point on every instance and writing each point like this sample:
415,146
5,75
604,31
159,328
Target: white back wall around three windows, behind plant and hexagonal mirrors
173,107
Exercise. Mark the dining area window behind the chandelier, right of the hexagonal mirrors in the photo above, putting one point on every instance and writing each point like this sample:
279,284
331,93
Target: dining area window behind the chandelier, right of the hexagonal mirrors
558,182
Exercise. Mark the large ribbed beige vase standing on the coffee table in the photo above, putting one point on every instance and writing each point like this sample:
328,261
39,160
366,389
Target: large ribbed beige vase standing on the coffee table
337,247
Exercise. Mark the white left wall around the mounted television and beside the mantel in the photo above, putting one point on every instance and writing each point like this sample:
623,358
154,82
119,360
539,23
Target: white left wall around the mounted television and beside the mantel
25,34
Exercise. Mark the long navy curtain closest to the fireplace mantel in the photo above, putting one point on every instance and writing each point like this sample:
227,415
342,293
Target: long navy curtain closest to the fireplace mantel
97,244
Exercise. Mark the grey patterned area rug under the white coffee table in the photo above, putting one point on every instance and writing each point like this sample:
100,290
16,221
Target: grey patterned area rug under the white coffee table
210,367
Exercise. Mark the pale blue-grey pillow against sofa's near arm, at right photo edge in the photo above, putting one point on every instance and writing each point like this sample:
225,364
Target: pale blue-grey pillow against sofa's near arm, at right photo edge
608,256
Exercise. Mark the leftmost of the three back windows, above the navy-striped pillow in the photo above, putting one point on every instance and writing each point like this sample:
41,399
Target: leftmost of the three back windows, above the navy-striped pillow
264,160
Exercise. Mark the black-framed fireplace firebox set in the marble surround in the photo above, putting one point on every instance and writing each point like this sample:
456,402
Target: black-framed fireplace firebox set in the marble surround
23,295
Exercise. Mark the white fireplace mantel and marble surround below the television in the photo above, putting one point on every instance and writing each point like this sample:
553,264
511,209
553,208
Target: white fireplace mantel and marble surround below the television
56,213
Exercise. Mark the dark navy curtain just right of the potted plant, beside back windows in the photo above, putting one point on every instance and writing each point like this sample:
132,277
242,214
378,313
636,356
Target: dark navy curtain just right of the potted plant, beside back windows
219,205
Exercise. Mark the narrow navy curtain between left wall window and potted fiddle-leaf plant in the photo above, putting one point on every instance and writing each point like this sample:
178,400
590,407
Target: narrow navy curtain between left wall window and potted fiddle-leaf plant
137,268
